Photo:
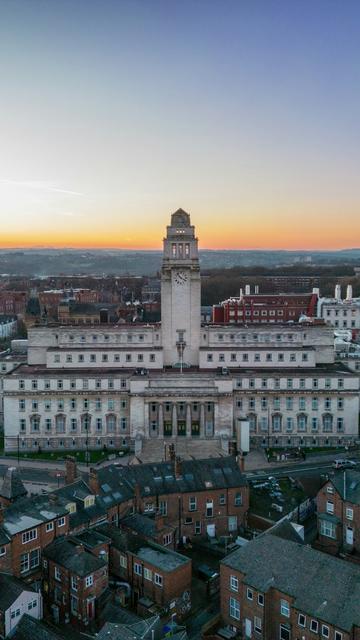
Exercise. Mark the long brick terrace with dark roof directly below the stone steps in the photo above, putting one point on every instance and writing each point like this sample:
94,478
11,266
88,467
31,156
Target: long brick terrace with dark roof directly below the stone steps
195,497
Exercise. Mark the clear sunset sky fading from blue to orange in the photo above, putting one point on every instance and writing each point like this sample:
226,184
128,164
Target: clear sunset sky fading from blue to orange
115,113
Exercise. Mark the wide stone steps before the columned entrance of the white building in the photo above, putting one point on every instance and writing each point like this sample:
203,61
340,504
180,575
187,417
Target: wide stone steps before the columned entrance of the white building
153,450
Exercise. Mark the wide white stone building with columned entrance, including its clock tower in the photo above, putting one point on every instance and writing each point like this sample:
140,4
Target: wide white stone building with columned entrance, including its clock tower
179,380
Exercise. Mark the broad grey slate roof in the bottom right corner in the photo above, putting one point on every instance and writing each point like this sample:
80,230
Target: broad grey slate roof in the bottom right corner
322,586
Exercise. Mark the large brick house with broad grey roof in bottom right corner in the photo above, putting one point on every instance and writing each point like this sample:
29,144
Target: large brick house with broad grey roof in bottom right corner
278,588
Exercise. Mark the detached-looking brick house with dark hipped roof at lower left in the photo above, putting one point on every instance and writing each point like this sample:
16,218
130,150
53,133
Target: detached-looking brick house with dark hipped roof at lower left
75,581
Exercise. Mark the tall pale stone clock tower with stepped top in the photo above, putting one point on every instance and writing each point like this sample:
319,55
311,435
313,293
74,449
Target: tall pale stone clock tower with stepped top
180,293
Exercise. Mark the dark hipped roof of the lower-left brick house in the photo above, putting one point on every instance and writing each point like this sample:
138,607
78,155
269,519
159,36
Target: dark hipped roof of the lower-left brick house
64,553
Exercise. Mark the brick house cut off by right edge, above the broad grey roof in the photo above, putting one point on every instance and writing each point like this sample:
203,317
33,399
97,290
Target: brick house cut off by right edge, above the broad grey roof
338,509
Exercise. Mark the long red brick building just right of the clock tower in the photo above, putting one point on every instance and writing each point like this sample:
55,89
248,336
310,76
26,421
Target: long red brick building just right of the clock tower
259,308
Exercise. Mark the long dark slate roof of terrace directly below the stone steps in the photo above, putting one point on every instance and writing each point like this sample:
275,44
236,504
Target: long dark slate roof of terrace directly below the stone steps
117,483
